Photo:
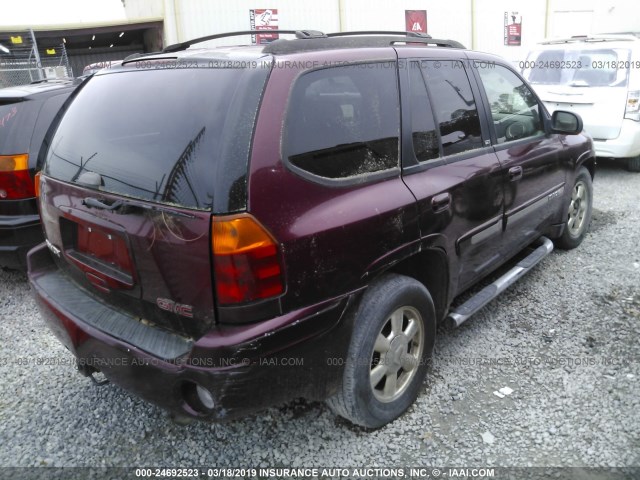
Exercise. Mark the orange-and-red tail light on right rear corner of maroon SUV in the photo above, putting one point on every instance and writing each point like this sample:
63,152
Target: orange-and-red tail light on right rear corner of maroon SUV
246,260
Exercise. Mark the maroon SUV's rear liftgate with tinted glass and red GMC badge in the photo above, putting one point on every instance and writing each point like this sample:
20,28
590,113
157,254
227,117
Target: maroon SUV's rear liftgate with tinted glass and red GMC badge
138,164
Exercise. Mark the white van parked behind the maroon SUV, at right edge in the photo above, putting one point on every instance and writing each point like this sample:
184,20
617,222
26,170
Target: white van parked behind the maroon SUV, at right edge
598,77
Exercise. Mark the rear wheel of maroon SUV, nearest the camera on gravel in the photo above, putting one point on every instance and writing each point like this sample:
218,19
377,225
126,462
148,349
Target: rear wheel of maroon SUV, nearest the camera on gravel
401,310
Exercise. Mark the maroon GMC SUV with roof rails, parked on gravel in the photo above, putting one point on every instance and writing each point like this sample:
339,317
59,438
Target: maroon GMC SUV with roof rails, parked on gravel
230,228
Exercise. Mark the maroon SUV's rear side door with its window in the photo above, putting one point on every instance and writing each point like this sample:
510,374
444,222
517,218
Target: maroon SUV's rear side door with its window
450,166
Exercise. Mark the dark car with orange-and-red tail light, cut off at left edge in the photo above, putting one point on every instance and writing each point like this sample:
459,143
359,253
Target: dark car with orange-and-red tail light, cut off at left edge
25,115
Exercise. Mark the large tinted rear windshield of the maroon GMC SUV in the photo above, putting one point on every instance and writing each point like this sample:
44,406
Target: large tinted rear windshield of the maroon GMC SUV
160,135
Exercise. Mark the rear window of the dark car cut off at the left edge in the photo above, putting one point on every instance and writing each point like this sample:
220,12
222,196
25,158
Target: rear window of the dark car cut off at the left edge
17,121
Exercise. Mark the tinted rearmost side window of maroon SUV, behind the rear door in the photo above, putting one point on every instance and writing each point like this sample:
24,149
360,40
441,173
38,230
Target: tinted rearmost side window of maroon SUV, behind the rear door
344,121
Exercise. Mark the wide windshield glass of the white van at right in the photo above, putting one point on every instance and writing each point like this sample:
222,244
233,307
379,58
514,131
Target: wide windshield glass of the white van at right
590,67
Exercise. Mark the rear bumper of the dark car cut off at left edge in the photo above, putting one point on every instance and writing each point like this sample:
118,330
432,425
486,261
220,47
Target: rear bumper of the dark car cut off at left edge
18,235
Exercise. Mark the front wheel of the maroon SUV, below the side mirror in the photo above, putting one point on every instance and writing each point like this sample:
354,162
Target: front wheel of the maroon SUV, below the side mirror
578,213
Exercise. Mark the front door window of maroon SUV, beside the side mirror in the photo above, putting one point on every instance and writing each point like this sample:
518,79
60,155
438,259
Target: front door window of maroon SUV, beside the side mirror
514,109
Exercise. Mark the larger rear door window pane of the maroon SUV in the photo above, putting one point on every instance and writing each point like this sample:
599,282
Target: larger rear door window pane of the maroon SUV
454,105
